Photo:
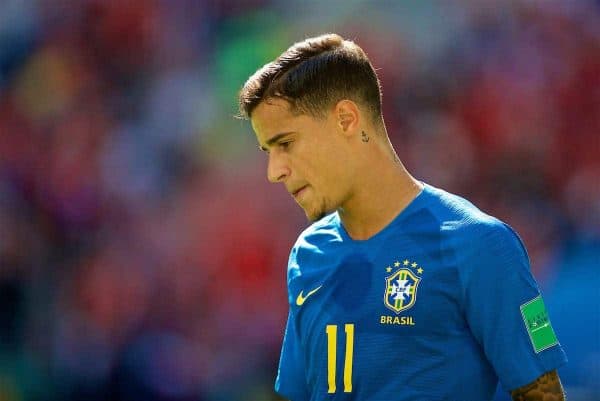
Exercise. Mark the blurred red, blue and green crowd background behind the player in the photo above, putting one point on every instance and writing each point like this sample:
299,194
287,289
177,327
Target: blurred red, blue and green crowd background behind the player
142,251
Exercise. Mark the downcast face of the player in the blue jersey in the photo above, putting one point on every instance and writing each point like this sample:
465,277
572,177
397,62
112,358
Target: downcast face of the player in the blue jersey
306,154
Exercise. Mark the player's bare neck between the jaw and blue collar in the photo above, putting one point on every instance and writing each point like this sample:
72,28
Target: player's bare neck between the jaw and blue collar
381,193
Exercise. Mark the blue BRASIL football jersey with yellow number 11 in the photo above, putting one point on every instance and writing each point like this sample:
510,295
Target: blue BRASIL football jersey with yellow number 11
429,308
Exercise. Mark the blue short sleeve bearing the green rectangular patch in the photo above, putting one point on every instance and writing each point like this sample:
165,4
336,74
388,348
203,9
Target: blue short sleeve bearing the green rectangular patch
499,293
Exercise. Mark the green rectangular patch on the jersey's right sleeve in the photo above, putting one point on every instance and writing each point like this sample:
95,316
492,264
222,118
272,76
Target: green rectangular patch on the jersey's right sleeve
538,324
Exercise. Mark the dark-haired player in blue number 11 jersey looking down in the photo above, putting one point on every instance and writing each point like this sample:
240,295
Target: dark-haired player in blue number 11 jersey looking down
398,290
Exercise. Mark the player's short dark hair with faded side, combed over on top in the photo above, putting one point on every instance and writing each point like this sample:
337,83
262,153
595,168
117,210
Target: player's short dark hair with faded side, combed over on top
313,75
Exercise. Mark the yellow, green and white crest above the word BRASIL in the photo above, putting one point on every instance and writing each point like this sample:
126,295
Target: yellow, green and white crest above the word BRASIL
401,290
